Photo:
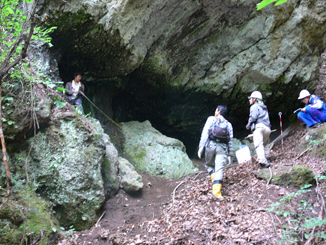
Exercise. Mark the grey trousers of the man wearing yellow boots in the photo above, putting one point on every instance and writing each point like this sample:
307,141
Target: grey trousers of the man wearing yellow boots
216,159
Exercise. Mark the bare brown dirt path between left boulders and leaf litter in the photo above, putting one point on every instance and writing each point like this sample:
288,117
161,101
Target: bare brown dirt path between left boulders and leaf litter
129,210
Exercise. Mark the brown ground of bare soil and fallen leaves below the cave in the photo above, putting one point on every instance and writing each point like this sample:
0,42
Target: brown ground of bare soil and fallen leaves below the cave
183,211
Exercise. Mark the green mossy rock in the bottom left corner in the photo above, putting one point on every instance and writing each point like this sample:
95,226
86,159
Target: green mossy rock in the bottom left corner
25,218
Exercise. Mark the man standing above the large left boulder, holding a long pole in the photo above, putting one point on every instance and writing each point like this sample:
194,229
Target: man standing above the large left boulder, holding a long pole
74,89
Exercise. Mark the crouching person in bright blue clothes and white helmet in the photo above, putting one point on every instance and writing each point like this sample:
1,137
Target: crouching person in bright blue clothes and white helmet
314,113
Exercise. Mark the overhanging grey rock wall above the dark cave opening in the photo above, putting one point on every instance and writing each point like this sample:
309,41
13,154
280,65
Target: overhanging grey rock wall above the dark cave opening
212,46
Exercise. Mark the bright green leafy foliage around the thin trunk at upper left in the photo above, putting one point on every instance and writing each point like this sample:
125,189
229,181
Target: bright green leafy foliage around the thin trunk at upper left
17,32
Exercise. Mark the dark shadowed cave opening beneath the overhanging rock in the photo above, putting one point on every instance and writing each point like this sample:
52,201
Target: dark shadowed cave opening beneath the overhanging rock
176,113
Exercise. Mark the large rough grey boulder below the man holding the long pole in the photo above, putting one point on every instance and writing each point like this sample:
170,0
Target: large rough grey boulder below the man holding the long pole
66,160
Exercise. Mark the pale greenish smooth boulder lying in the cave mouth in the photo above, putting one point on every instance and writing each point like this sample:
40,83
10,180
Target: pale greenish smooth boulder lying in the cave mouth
154,153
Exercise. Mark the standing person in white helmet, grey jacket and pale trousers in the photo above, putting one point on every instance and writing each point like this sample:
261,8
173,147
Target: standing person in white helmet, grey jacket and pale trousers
260,125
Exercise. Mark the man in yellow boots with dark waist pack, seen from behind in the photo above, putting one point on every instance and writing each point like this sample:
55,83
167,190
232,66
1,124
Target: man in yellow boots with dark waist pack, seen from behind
217,140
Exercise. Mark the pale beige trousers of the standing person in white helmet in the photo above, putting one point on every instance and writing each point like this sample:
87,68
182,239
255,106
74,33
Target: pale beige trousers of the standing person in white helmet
260,137
